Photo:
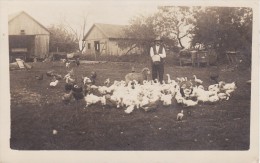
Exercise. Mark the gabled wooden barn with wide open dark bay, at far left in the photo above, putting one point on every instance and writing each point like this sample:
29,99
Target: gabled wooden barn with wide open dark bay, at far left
27,37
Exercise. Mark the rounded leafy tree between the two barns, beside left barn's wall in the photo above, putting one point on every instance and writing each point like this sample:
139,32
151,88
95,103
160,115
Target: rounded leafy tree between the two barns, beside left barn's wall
61,40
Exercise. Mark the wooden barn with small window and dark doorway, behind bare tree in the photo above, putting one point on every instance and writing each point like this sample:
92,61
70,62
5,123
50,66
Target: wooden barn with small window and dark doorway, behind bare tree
102,39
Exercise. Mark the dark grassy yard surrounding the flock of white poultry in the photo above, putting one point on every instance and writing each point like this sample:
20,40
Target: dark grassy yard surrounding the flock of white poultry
37,109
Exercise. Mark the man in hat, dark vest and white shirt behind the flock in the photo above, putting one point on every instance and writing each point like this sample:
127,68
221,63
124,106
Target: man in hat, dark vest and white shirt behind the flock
158,54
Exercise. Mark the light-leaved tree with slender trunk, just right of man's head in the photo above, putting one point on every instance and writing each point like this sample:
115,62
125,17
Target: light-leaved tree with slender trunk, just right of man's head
174,22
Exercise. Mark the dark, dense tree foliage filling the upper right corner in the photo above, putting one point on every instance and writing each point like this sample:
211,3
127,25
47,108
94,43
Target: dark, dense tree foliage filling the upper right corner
223,28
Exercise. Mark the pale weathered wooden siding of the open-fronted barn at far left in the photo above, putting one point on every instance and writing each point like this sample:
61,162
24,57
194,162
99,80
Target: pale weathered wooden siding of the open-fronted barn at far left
39,46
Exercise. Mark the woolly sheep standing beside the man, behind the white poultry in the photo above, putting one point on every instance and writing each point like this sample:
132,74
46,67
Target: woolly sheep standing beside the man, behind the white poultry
139,77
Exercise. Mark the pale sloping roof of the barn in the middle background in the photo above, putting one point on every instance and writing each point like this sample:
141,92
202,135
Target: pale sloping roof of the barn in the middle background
109,30
